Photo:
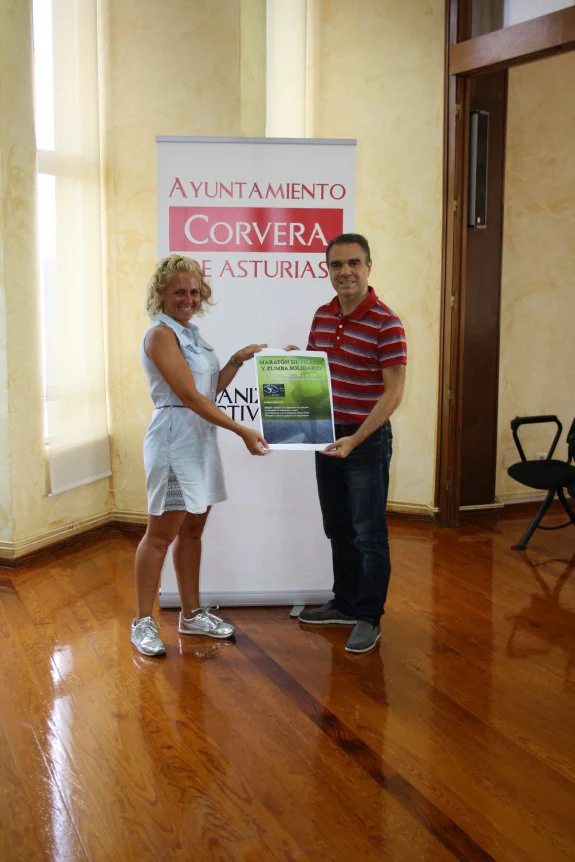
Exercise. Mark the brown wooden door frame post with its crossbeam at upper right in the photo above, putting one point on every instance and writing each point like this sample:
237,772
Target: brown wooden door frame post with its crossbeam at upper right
465,57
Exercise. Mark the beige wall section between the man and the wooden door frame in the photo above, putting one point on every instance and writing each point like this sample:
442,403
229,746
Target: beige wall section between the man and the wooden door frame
379,78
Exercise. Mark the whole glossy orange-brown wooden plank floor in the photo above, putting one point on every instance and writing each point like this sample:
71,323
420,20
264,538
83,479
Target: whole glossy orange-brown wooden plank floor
456,740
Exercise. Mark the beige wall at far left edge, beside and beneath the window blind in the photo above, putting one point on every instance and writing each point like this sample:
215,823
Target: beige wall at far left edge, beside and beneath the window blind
34,516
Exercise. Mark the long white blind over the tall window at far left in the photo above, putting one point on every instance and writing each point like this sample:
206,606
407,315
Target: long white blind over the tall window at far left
70,241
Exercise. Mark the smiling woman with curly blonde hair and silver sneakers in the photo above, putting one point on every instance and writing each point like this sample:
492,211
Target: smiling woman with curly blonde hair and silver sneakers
183,466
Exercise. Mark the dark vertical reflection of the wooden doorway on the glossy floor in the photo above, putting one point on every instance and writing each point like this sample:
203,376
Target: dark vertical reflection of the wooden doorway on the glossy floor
462,655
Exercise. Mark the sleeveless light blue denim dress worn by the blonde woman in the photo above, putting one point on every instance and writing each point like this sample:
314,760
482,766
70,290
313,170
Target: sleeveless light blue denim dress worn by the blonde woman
178,442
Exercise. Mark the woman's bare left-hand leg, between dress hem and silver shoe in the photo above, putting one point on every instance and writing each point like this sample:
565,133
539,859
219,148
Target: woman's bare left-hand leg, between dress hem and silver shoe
150,555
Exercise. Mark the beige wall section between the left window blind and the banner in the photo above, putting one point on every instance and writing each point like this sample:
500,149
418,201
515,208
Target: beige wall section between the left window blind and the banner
172,68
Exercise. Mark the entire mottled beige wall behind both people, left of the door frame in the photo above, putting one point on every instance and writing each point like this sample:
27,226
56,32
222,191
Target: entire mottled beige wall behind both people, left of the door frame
198,68
